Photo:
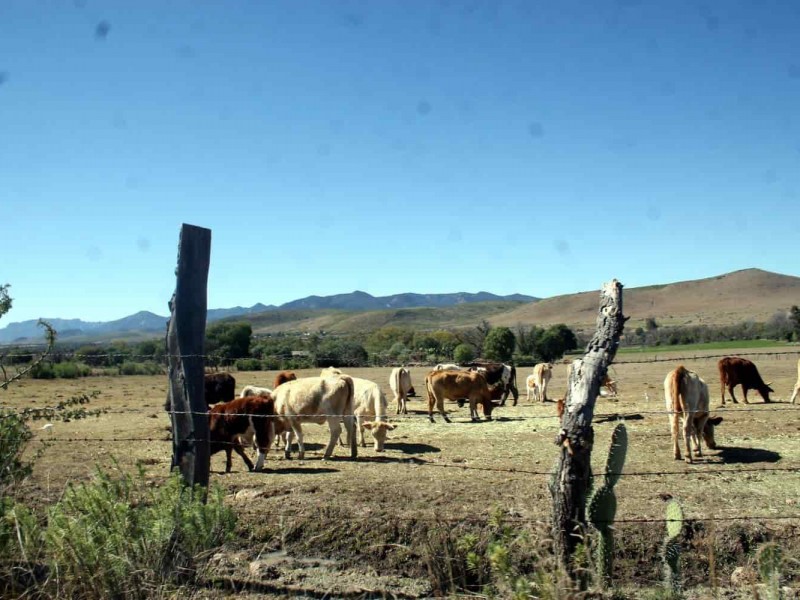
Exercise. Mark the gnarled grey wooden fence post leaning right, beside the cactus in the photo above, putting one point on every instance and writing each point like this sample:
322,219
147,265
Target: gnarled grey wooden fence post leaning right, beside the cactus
571,481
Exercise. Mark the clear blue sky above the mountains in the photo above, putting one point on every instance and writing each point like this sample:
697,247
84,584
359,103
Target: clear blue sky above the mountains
532,147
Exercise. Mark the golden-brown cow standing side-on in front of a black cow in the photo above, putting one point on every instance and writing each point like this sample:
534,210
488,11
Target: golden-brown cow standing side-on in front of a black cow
461,384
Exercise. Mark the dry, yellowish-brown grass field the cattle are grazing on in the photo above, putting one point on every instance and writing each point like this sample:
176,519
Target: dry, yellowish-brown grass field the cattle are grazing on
340,526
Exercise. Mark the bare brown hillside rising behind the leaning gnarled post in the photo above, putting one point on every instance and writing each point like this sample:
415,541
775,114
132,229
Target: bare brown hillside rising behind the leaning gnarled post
731,298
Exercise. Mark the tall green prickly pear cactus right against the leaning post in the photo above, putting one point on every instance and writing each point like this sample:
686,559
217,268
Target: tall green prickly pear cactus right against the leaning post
602,506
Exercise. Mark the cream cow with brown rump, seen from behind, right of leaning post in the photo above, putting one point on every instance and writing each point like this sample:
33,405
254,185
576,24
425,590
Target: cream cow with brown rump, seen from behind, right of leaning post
687,399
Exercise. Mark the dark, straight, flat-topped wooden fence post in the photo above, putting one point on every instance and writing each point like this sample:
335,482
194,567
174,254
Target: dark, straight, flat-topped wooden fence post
185,349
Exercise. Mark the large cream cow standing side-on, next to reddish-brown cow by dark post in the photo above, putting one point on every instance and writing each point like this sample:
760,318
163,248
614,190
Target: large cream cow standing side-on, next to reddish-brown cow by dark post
316,400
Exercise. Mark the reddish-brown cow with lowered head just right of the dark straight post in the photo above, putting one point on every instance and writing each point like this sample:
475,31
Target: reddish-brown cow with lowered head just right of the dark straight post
234,423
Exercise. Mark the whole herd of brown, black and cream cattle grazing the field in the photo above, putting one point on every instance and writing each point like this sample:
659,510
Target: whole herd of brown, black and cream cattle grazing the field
260,415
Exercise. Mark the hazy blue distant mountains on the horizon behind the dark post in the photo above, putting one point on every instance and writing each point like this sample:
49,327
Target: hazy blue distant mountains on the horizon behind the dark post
145,324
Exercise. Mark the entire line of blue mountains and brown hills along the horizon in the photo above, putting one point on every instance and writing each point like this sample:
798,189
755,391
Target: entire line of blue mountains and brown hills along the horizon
745,295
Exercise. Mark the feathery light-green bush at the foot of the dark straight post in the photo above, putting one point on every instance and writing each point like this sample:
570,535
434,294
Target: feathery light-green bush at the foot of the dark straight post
120,538
